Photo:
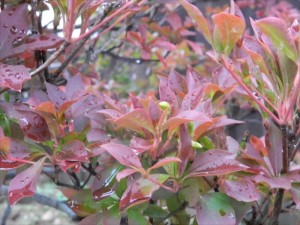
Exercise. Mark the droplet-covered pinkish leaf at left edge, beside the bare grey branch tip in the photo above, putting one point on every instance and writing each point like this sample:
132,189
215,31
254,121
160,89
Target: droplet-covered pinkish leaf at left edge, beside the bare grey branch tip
13,77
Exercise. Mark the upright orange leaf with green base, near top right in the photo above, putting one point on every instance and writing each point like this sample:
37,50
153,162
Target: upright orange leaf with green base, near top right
228,30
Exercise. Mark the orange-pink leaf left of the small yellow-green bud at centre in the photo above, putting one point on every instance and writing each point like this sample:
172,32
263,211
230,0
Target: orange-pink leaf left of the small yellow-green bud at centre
136,120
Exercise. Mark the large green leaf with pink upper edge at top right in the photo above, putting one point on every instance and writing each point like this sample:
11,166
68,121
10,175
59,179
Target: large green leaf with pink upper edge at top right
276,30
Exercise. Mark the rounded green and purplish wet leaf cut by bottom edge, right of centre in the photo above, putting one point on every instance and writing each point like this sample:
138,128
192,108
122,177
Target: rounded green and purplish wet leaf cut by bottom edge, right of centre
214,208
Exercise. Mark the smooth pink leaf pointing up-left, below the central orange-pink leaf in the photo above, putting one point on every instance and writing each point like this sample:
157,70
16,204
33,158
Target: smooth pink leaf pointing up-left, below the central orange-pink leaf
123,154
